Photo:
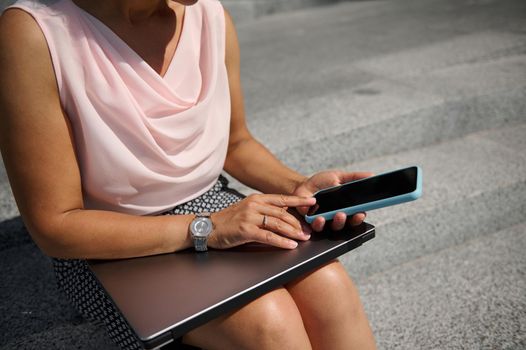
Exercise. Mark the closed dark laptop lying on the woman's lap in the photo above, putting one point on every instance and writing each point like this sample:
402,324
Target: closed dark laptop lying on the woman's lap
164,296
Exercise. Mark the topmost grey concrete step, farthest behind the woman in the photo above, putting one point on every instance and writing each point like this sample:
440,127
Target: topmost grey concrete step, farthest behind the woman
294,57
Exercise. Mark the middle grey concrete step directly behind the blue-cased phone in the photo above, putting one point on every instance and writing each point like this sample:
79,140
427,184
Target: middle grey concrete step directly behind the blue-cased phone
473,186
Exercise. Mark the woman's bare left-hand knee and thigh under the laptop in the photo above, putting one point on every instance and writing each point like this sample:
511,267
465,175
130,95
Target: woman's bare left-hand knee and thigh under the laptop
272,321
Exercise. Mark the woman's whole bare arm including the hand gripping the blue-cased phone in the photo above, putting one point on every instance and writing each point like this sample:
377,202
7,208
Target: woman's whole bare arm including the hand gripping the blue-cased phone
251,163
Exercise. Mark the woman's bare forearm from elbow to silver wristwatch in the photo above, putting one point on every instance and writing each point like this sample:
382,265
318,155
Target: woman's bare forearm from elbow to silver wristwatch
99,234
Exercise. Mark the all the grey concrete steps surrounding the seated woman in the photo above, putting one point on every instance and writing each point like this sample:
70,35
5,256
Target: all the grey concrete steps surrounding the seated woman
372,85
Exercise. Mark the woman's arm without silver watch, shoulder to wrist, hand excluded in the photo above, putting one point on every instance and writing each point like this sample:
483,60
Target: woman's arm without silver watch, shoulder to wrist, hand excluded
247,159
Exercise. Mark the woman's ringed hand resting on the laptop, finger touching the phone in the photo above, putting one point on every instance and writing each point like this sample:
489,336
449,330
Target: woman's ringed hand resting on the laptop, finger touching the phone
245,222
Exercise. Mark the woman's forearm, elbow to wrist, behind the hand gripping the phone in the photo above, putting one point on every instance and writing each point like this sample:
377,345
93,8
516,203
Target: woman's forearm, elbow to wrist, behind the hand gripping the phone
254,165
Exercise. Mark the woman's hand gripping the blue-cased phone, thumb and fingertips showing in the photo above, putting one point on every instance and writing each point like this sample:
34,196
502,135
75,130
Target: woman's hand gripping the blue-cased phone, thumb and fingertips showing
323,180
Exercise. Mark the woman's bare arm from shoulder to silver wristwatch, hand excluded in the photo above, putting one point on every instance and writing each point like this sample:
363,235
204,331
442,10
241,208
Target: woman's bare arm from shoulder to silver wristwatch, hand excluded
37,147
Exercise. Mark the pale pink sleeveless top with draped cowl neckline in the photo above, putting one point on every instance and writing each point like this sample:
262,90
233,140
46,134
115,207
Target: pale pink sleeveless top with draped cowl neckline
144,142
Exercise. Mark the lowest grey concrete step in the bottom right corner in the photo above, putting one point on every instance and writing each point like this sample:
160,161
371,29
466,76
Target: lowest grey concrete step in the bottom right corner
470,296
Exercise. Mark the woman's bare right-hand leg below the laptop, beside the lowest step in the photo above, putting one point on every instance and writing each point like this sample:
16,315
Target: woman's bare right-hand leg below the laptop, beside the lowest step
331,309
